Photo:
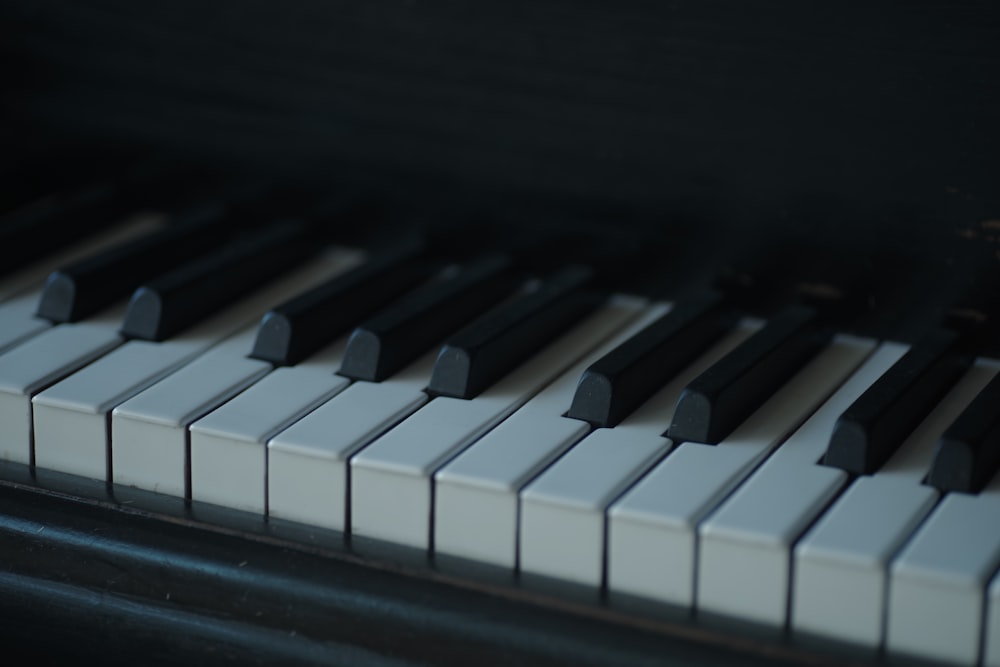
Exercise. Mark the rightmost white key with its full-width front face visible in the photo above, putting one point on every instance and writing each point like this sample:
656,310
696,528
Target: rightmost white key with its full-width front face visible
937,585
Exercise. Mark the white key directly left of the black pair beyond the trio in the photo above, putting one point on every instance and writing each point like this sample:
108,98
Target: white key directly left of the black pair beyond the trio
480,486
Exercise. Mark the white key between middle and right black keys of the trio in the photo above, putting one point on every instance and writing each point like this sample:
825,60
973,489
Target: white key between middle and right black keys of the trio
307,464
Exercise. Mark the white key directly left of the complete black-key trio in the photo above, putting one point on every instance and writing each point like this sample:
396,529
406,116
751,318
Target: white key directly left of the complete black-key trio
149,430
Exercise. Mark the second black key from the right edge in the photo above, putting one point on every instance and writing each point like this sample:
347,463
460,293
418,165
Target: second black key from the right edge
877,423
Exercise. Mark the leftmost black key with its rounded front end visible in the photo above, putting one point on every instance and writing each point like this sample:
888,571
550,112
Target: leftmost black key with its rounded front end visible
80,289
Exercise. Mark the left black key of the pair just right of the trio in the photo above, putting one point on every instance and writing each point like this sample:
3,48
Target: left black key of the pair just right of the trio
620,381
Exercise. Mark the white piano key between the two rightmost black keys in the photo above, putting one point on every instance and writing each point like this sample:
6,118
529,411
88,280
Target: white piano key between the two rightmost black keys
845,556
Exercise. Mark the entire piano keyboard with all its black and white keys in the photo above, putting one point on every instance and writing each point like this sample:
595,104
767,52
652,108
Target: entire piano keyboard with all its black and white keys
766,469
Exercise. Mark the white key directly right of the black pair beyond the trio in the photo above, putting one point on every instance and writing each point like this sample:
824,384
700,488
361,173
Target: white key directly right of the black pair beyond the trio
664,510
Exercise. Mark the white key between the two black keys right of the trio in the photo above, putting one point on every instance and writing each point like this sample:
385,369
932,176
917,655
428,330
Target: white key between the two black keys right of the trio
562,512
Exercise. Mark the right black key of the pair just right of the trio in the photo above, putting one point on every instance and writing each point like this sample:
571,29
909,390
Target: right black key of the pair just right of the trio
719,399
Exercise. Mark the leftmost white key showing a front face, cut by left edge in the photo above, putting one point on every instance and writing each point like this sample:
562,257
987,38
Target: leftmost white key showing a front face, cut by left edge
41,361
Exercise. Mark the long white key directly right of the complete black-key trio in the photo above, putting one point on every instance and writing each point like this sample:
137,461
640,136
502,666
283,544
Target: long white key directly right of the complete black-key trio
391,486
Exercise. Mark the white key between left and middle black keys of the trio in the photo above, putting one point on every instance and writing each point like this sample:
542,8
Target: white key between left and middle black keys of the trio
229,444
